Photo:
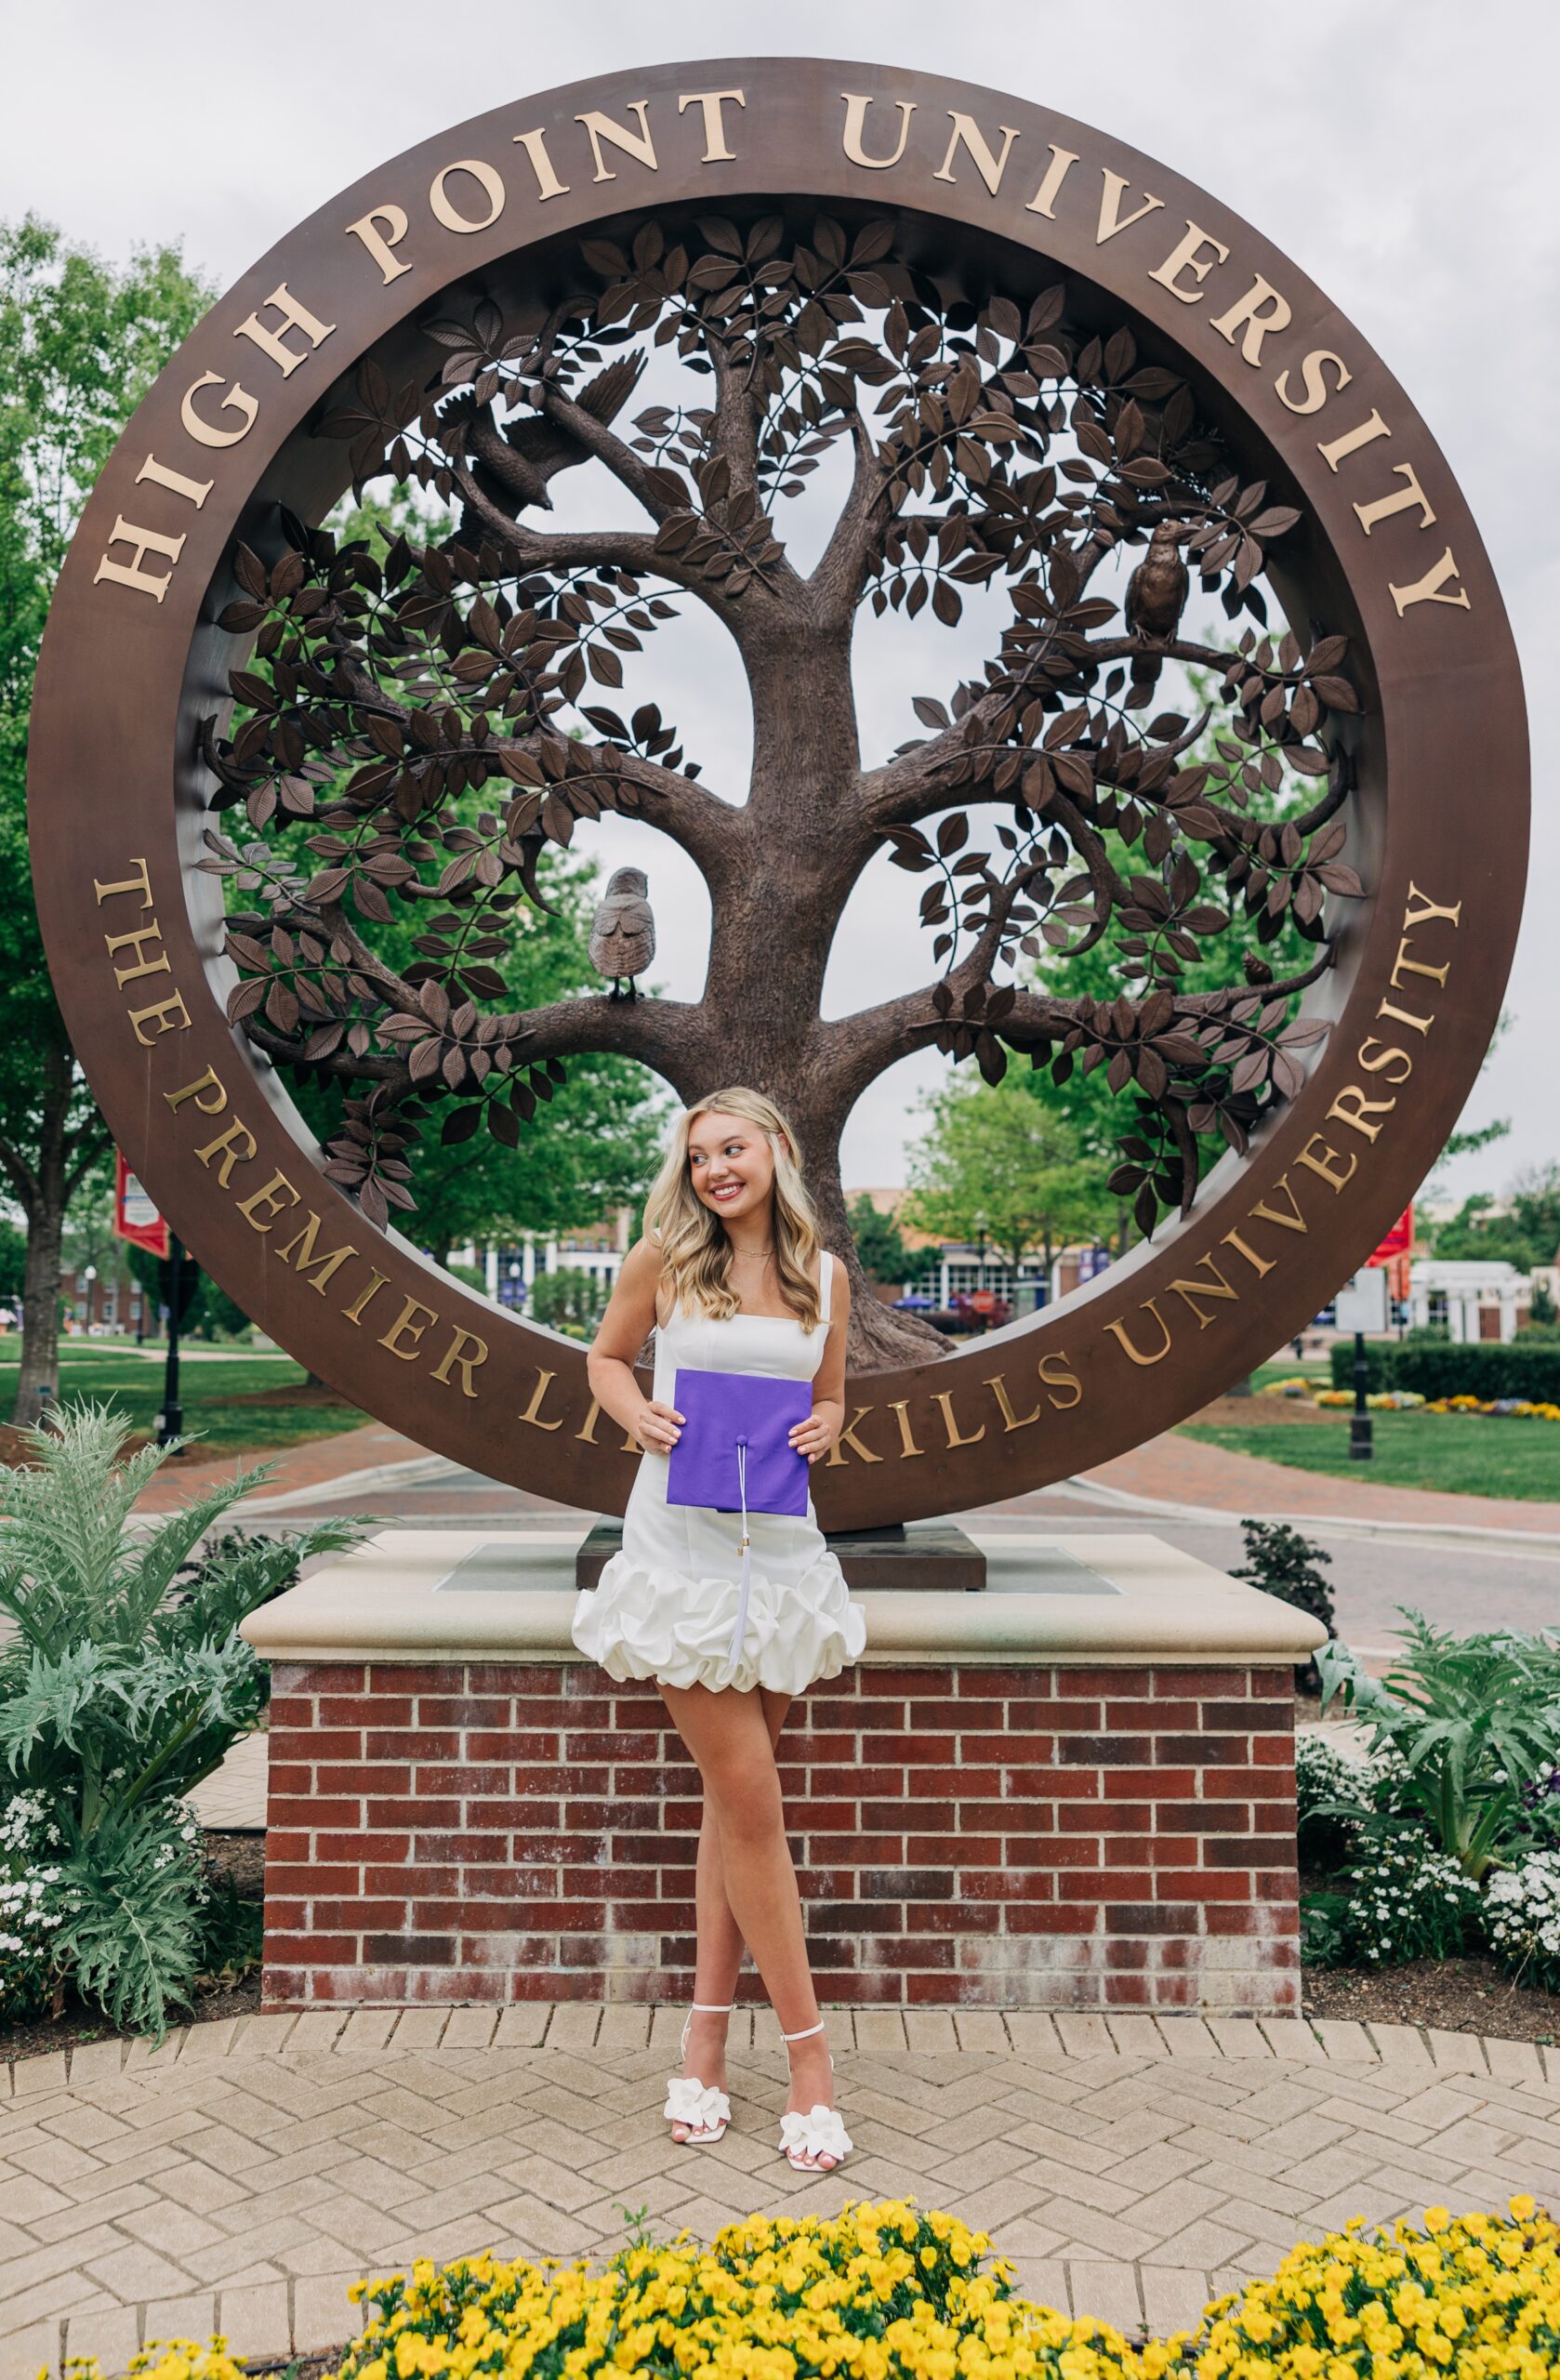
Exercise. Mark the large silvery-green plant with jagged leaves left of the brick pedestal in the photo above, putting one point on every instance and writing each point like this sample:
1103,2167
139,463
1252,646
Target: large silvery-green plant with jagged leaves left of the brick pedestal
123,1689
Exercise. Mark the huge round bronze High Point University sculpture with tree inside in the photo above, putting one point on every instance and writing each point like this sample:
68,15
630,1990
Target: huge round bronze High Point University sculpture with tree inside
504,261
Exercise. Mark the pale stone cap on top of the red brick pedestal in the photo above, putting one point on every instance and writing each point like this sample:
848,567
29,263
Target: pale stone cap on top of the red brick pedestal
1054,1598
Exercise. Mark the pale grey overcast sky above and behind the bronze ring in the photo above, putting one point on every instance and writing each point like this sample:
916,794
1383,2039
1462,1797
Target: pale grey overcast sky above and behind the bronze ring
1394,151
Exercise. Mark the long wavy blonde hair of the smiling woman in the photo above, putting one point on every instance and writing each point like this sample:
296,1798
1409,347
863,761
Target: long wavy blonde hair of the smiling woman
694,1246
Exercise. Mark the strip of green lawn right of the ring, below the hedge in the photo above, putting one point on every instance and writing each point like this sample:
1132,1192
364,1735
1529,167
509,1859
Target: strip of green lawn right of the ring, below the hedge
1456,1453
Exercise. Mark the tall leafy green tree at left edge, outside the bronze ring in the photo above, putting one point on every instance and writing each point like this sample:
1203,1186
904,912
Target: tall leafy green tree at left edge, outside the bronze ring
80,346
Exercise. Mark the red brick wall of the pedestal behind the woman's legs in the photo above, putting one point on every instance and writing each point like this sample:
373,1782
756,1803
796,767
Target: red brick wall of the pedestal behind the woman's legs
1071,1839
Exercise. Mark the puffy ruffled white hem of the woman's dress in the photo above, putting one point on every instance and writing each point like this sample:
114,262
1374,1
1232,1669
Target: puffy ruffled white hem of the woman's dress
644,1622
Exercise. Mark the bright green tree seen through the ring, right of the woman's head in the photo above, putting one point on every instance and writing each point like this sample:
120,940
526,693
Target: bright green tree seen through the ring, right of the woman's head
1006,1165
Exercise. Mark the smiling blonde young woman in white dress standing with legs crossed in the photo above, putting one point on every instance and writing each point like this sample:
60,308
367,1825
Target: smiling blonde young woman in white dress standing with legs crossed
732,1279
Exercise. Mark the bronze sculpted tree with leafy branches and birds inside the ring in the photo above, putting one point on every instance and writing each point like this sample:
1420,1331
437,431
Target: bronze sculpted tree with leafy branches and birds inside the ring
428,713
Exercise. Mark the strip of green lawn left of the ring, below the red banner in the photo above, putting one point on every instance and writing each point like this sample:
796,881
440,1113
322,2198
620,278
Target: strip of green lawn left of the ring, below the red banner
232,1401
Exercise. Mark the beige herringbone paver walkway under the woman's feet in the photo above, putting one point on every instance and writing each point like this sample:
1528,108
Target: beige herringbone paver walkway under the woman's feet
249,2169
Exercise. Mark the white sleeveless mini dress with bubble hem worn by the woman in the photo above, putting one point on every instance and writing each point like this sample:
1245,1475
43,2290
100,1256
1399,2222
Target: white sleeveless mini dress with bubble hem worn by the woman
668,1605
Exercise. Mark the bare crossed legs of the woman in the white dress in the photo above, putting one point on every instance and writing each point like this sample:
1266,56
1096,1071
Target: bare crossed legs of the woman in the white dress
747,1884
